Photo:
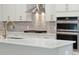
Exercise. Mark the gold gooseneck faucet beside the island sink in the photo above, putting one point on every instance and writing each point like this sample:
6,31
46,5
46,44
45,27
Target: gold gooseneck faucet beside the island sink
7,25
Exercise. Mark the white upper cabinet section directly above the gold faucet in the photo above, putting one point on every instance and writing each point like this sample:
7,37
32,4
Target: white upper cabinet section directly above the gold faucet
8,12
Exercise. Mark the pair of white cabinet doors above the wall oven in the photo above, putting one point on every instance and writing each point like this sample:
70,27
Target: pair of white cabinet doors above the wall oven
67,7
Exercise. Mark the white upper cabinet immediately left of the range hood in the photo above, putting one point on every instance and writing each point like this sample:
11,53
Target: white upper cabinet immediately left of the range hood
21,14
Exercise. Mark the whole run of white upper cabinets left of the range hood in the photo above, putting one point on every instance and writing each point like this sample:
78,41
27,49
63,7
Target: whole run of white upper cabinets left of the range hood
15,12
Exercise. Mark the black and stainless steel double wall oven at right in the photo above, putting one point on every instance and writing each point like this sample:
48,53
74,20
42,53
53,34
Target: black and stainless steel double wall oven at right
67,29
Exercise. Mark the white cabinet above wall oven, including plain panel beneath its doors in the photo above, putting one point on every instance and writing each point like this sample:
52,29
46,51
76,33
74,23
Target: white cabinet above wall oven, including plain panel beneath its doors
67,10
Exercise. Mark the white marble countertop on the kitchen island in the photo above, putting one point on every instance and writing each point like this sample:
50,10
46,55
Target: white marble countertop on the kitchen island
36,42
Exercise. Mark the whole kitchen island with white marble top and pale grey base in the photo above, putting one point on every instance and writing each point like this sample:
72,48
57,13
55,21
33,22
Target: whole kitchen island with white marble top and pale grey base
35,46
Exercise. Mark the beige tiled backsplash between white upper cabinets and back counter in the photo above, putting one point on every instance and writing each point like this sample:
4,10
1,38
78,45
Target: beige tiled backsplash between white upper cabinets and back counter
20,26
